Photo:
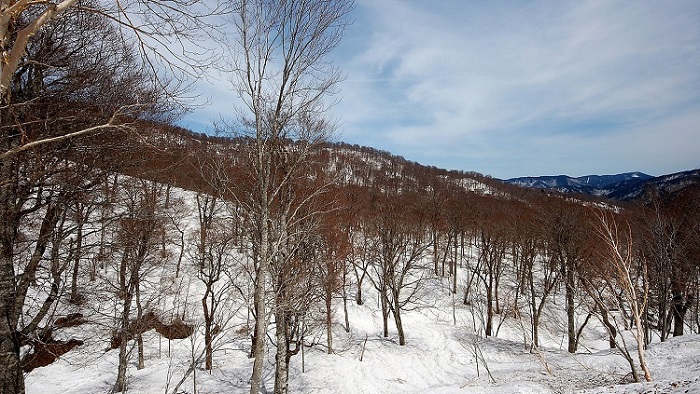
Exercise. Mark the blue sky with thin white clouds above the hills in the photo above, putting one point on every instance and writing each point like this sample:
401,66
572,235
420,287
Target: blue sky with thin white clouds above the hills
518,88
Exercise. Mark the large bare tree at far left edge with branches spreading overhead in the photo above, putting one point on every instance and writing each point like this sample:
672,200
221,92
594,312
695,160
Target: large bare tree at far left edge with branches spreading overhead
62,60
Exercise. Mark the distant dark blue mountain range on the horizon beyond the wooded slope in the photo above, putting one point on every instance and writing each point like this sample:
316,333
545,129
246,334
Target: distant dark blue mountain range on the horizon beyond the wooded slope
627,186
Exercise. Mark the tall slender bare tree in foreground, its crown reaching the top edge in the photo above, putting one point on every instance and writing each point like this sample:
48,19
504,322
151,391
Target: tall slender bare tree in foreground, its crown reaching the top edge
282,76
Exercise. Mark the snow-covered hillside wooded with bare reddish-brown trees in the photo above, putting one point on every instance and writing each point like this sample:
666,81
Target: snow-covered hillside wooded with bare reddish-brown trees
390,276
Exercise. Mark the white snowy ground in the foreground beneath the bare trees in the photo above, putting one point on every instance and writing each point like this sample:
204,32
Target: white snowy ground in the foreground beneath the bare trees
440,357
